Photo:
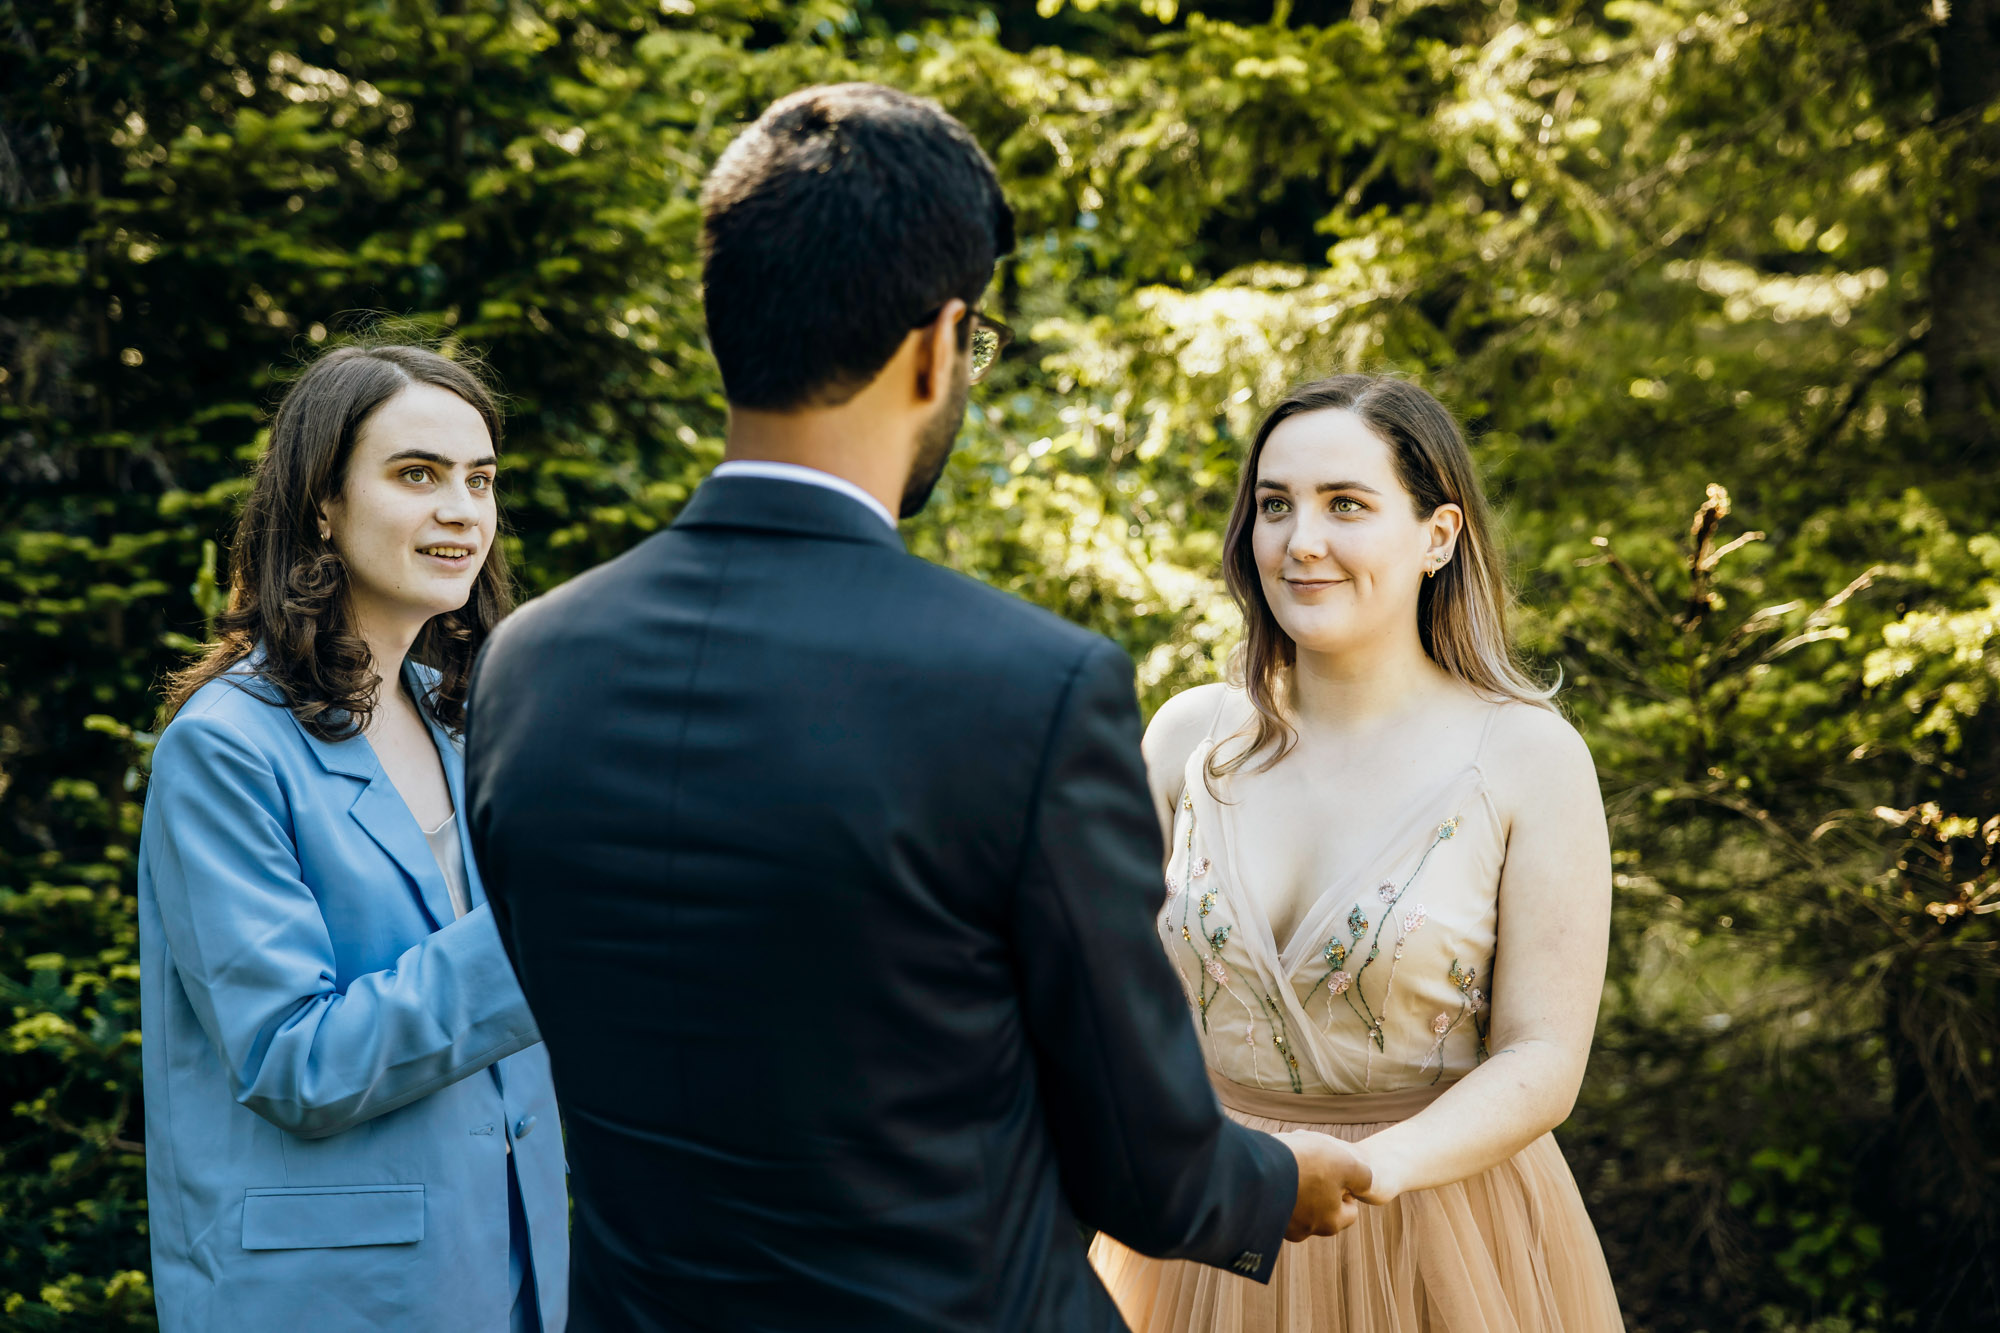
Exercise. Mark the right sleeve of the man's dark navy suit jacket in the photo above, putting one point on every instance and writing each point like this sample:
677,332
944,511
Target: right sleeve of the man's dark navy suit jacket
1145,1148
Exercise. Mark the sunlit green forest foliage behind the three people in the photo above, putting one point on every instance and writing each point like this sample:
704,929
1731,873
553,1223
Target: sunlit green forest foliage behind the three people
1717,265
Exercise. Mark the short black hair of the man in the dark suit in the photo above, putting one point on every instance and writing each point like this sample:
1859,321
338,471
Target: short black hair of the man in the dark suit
829,229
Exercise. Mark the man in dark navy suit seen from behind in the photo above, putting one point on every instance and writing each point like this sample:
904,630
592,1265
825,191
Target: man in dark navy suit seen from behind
831,876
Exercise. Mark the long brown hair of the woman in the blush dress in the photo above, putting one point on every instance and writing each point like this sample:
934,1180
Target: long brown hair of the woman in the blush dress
1461,613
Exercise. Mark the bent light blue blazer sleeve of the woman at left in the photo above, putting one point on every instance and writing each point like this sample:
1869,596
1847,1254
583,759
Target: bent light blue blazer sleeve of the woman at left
257,960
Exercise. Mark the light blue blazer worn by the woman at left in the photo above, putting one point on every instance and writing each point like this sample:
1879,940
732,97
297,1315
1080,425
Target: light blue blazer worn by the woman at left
335,1068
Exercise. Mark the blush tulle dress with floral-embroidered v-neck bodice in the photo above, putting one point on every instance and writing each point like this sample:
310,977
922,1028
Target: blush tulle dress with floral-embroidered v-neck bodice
1361,1020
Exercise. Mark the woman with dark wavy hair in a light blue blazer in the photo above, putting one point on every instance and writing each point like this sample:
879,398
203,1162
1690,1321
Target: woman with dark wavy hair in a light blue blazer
349,1110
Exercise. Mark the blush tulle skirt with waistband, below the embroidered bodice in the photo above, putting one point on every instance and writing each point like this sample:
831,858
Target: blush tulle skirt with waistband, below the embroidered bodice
1503,1252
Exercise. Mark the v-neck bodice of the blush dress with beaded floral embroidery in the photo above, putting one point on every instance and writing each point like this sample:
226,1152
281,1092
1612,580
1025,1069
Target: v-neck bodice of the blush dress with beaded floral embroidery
1385,982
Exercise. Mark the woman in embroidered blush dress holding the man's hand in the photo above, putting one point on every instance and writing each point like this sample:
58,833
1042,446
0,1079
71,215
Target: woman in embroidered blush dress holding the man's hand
1389,892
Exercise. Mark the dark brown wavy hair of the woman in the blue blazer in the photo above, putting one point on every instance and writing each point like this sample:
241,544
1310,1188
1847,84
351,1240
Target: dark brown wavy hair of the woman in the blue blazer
289,589
